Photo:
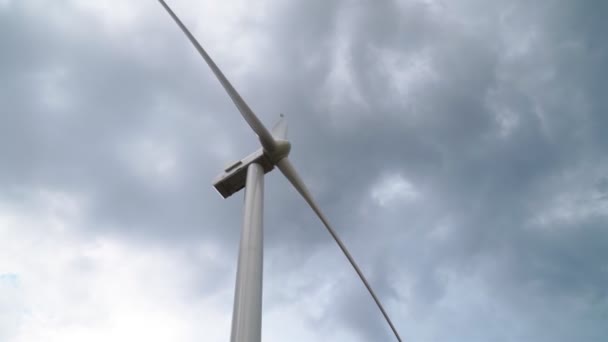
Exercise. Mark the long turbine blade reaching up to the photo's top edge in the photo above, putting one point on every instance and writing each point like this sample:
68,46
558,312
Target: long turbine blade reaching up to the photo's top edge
263,134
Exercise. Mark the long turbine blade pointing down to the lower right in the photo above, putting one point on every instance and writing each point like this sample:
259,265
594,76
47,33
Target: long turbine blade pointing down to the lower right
288,170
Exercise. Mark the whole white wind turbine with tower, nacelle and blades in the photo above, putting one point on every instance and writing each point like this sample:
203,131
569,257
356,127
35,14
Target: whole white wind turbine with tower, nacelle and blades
249,173
